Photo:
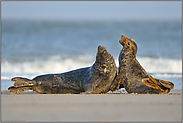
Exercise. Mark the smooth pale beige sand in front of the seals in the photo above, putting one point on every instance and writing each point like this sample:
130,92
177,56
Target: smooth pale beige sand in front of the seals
32,107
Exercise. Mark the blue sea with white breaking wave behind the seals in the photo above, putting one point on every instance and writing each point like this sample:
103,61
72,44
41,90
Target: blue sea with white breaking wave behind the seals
35,47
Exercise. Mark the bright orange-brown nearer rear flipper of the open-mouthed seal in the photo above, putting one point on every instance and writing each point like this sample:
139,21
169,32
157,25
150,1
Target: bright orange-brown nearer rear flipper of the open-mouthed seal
151,82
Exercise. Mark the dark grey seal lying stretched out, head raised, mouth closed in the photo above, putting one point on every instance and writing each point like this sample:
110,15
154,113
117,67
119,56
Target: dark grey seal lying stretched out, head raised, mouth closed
95,79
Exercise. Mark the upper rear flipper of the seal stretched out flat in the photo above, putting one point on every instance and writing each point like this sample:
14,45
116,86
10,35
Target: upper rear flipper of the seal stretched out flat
19,81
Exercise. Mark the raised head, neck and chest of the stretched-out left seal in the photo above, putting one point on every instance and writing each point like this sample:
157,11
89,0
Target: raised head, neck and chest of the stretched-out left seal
103,71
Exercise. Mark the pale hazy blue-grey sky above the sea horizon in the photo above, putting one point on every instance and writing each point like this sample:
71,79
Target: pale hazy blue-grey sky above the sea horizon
91,10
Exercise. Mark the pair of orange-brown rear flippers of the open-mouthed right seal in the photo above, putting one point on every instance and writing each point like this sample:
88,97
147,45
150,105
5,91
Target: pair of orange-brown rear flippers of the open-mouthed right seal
164,86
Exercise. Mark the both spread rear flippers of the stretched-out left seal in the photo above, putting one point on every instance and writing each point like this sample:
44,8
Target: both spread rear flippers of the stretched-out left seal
21,84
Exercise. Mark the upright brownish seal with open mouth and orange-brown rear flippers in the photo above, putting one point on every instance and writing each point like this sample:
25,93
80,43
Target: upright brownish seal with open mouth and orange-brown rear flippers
132,76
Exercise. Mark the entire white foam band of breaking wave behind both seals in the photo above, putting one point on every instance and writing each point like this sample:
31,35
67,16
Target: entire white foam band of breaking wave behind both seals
59,64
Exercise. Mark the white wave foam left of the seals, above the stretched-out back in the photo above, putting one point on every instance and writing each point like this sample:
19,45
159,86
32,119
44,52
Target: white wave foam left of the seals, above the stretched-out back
50,65
